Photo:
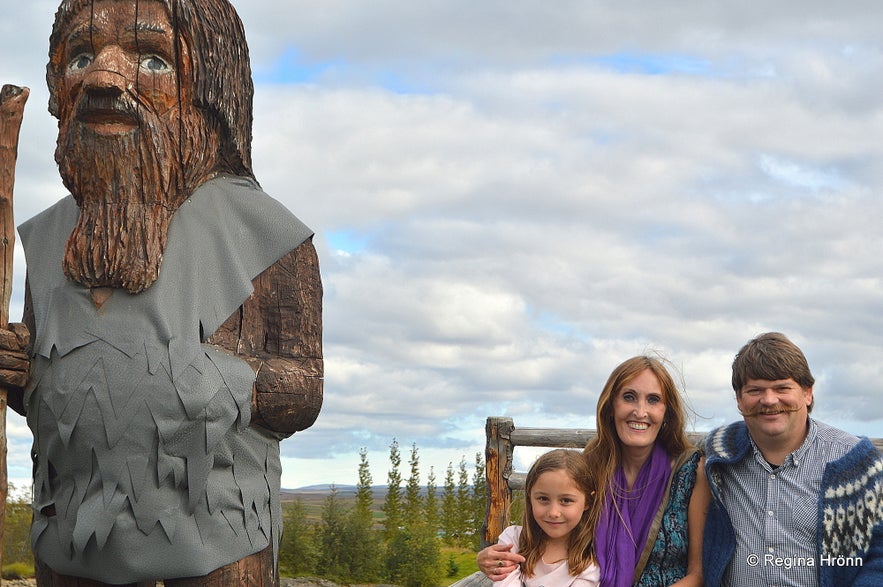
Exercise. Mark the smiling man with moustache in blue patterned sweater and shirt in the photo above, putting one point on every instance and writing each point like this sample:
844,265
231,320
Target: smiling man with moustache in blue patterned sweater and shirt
795,502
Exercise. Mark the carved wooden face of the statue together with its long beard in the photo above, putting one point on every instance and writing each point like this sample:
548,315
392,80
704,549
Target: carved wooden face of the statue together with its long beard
131,144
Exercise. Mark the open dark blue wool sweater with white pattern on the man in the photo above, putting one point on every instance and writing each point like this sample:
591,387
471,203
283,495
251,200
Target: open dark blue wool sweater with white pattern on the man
850,521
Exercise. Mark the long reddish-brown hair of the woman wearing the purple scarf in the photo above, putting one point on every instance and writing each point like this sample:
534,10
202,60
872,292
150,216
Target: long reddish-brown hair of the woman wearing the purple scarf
604,452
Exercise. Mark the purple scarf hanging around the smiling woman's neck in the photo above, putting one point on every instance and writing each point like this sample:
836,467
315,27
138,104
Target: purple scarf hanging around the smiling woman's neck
620,536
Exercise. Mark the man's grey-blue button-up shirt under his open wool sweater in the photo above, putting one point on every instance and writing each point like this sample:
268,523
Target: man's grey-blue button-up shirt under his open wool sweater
775,515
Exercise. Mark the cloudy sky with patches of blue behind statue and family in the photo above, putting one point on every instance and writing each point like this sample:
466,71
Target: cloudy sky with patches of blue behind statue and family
512,196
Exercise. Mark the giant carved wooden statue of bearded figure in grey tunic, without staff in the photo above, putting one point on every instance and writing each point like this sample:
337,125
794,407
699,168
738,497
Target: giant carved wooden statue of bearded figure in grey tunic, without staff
172,311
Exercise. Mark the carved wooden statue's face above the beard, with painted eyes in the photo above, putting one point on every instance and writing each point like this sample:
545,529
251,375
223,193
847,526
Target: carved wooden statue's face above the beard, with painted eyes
119,48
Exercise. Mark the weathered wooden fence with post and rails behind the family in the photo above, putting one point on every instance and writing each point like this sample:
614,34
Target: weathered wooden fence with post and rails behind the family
501,439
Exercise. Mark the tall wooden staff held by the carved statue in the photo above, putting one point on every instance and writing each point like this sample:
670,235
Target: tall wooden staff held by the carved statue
12,105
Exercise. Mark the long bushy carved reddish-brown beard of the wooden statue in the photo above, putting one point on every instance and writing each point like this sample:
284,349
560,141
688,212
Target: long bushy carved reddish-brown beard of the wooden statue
128,186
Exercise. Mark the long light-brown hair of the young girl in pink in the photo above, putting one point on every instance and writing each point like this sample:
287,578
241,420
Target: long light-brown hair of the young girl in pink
580,545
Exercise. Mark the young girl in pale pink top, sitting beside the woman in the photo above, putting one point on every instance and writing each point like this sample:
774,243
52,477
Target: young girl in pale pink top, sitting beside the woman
556,536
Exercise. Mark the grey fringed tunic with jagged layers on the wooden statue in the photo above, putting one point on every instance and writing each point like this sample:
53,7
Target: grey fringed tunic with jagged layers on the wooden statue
142,440
